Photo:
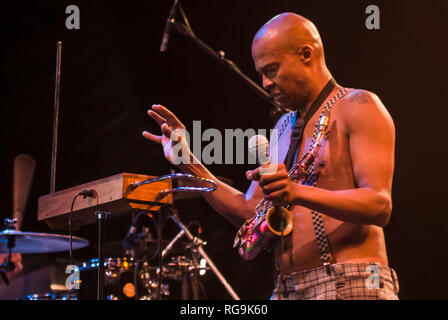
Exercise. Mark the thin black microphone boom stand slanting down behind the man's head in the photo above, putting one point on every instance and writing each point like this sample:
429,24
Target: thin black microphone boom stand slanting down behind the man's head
186,30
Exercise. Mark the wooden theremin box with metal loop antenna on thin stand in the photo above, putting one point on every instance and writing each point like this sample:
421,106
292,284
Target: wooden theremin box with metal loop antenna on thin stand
150,192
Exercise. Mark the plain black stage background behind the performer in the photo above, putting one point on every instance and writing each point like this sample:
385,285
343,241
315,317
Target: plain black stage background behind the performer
112,71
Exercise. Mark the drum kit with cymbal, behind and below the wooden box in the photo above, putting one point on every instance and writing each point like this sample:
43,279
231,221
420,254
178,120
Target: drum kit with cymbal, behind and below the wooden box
129,277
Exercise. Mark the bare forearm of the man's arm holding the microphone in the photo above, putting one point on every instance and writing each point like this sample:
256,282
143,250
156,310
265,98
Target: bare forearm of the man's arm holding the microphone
360,206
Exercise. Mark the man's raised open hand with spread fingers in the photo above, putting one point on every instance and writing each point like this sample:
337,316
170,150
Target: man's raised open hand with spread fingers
173,132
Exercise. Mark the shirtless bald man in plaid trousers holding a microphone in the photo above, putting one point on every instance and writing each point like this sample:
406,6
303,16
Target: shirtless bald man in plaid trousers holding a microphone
354,167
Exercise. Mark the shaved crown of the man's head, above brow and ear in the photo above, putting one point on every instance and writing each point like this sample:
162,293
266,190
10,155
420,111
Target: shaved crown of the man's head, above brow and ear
289,32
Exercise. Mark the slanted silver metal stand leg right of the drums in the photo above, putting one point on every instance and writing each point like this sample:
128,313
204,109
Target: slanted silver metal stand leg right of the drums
198,243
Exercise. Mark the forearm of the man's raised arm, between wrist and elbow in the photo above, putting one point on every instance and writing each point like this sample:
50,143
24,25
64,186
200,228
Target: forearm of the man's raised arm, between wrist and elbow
226,200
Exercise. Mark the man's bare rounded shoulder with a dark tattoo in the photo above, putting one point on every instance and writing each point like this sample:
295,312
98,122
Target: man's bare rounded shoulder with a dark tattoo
361,109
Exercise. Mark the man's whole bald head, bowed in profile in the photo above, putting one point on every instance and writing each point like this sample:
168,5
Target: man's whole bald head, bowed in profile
288,54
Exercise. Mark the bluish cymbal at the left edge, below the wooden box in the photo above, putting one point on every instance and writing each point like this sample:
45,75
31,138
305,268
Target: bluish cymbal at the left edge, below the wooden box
33,242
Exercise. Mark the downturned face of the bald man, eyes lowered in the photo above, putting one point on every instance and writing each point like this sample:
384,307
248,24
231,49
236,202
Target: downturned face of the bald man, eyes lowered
283,73
